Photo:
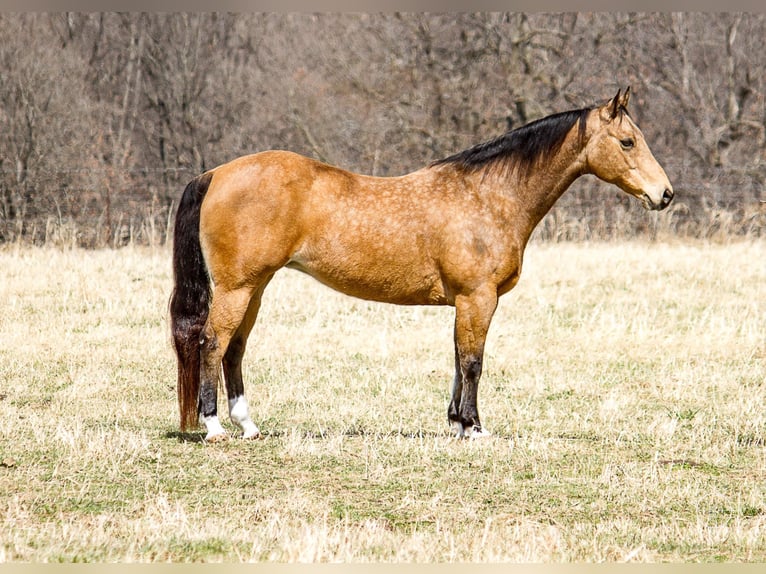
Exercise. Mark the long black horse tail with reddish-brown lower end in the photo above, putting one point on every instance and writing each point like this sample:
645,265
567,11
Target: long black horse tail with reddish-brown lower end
190,300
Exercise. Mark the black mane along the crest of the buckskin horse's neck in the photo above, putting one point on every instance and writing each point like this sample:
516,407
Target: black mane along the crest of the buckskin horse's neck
520,149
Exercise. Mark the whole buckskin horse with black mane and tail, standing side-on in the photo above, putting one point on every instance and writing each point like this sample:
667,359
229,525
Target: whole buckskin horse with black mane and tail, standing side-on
452,233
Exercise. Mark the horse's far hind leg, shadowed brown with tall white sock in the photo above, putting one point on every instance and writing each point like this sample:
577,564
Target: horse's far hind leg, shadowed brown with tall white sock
239,410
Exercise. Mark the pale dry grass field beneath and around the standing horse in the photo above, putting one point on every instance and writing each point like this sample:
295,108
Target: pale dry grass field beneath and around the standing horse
624,386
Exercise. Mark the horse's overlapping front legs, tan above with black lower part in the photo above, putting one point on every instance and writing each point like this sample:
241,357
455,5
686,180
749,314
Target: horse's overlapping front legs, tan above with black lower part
473,314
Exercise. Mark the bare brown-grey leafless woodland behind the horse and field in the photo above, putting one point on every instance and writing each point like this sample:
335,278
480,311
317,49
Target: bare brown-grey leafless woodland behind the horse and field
104,117
